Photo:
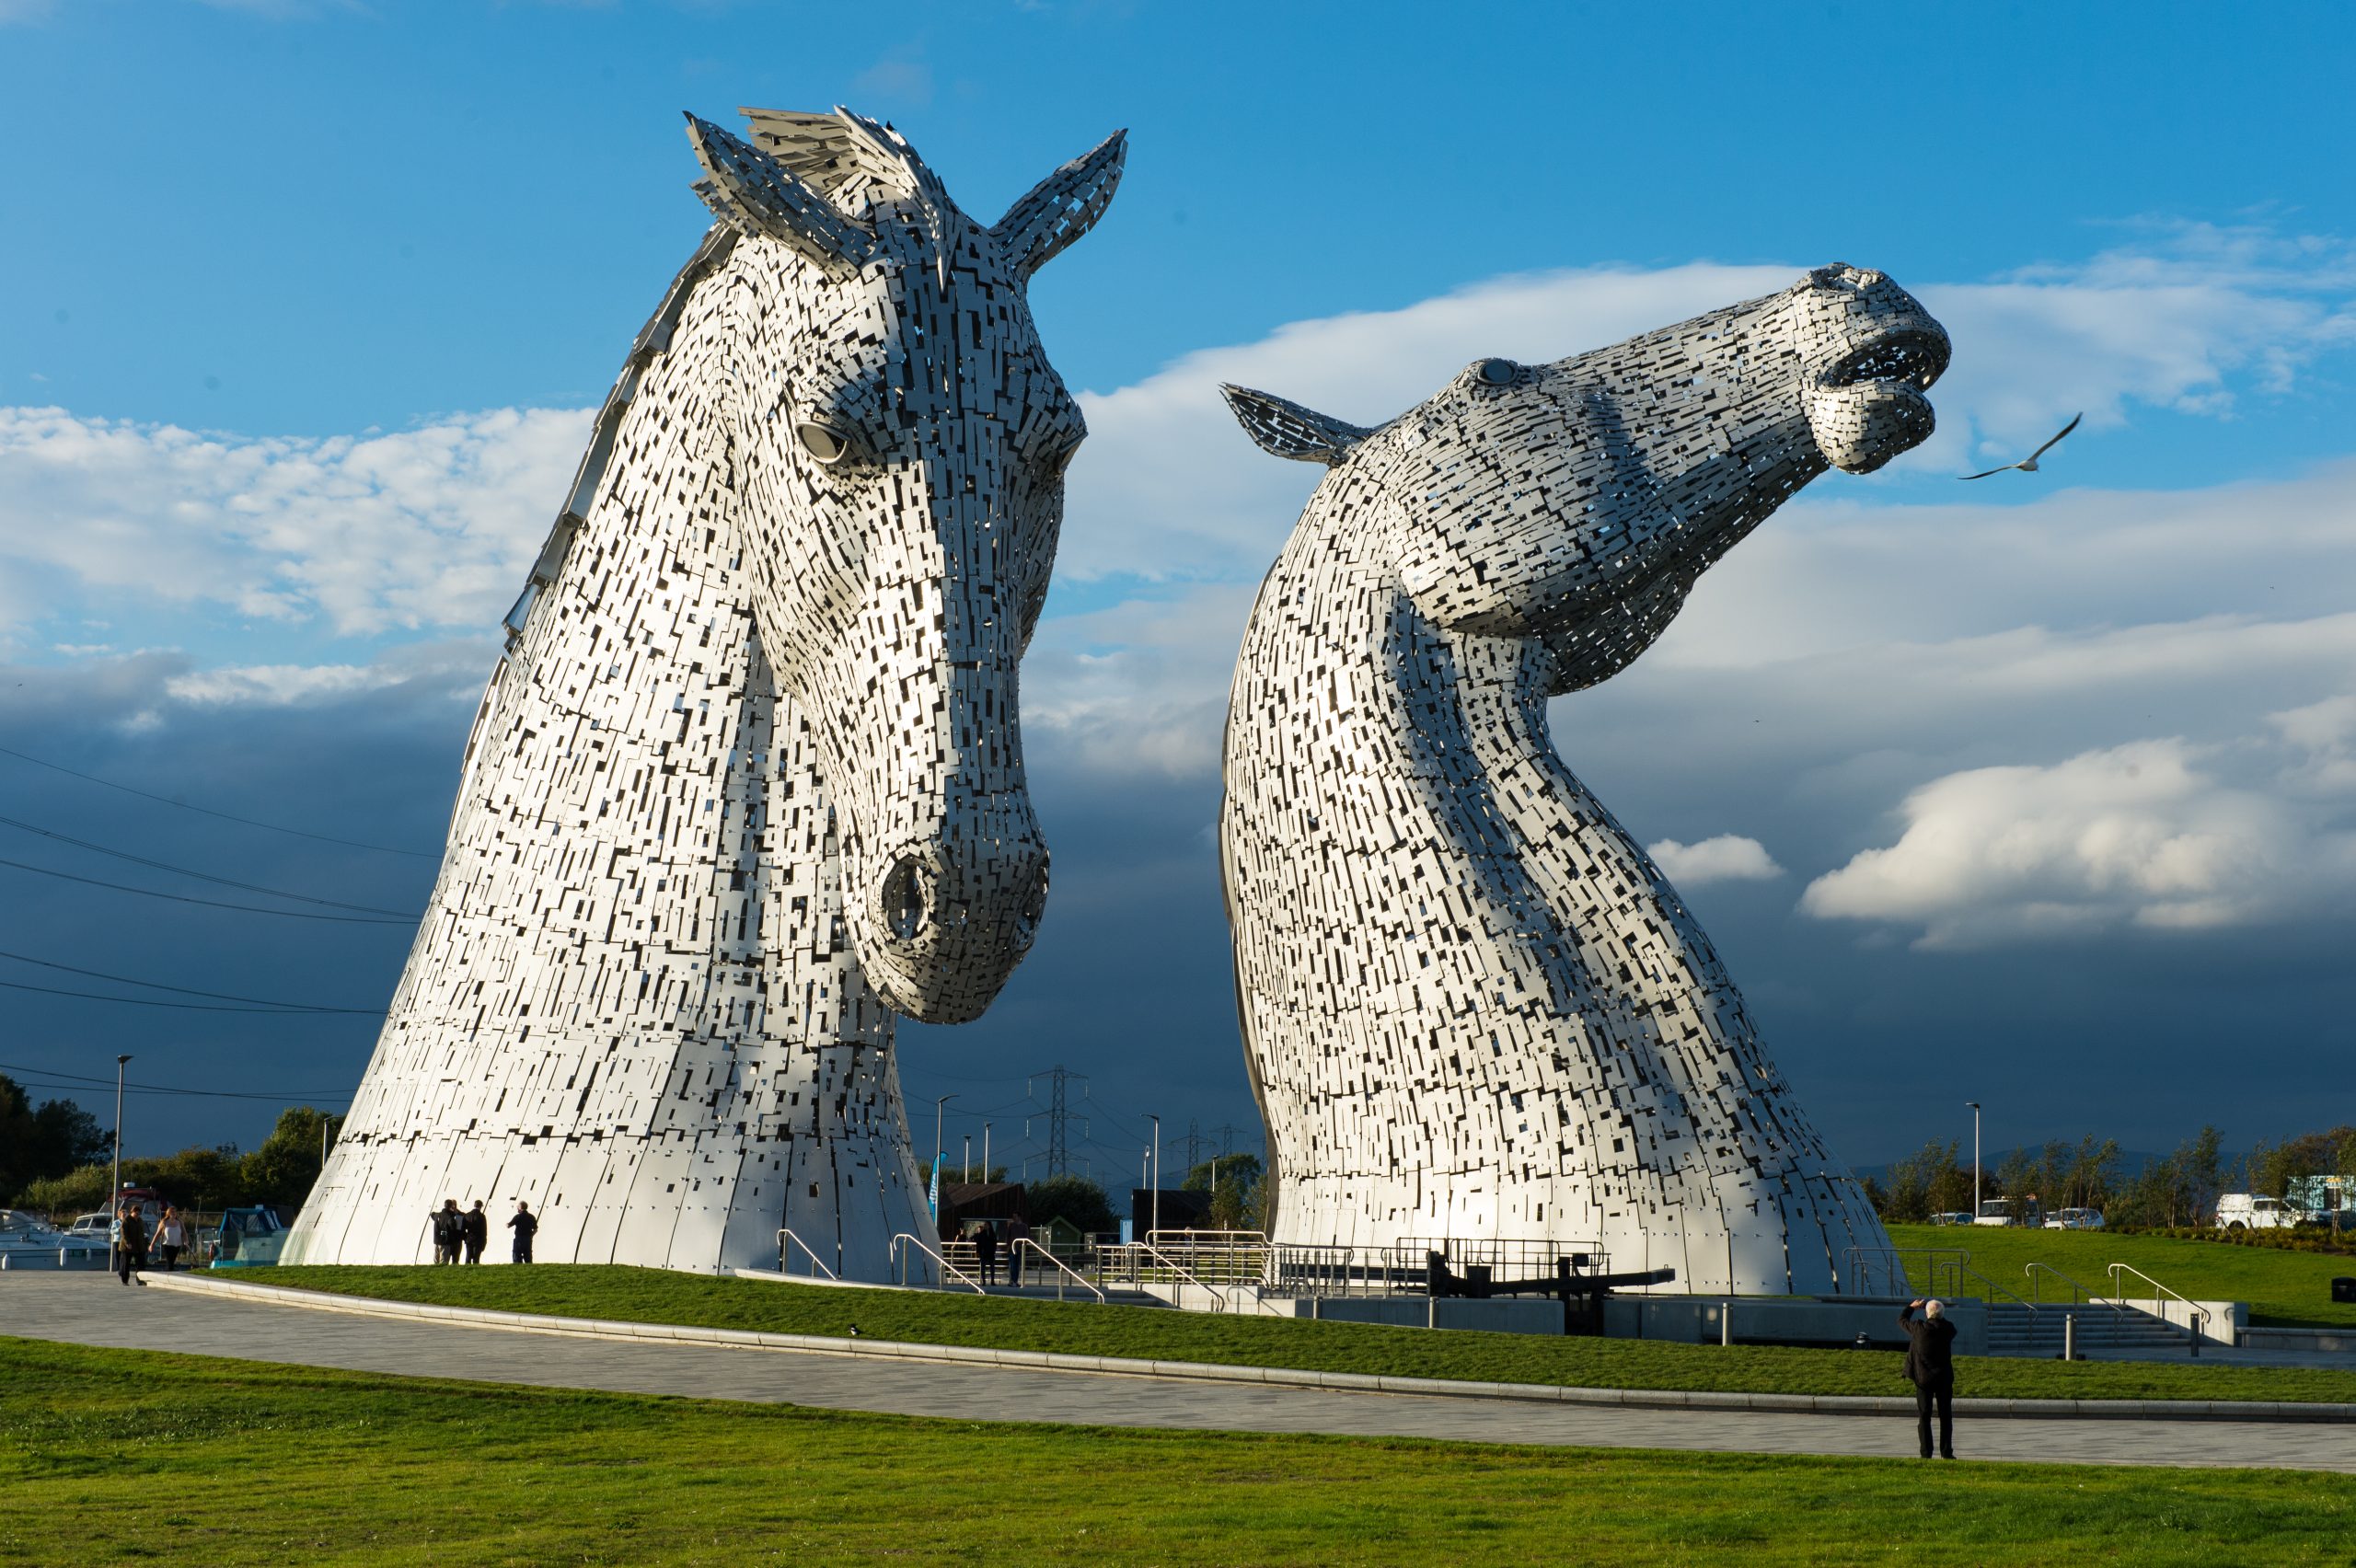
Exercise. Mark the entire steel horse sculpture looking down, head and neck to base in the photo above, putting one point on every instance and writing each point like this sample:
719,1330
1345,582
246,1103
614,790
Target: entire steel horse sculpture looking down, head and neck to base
750,778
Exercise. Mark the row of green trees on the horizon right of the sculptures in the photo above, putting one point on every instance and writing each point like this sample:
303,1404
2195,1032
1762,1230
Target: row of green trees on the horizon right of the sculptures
2173,1190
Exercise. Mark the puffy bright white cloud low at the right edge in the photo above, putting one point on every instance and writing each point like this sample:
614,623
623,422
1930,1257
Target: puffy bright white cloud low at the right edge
2143,835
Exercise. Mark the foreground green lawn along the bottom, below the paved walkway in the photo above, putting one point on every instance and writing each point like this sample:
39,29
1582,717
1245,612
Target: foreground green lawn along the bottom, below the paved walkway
131,1456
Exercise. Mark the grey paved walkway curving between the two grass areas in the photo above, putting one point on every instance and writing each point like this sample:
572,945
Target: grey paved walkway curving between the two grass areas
95,1310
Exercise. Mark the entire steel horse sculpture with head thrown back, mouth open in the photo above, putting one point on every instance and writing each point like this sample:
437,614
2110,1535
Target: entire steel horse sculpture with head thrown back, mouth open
1474,1009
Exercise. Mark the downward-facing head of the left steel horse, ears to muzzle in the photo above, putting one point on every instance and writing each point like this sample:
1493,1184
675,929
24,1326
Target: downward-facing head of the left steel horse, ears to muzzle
899,444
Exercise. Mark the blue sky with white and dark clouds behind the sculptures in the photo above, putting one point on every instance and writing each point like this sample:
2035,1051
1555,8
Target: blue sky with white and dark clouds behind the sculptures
2046,783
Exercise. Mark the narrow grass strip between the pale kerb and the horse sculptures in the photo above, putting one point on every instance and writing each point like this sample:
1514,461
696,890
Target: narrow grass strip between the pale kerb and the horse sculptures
656,1296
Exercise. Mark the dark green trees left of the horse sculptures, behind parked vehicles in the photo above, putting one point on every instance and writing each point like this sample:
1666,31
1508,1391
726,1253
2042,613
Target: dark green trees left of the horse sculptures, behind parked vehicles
60,1162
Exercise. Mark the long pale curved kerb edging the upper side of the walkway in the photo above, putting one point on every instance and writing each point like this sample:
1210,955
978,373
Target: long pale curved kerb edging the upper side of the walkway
1203,1371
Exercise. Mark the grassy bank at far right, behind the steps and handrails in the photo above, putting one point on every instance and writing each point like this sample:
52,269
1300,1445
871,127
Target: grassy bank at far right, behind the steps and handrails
2284,1289
